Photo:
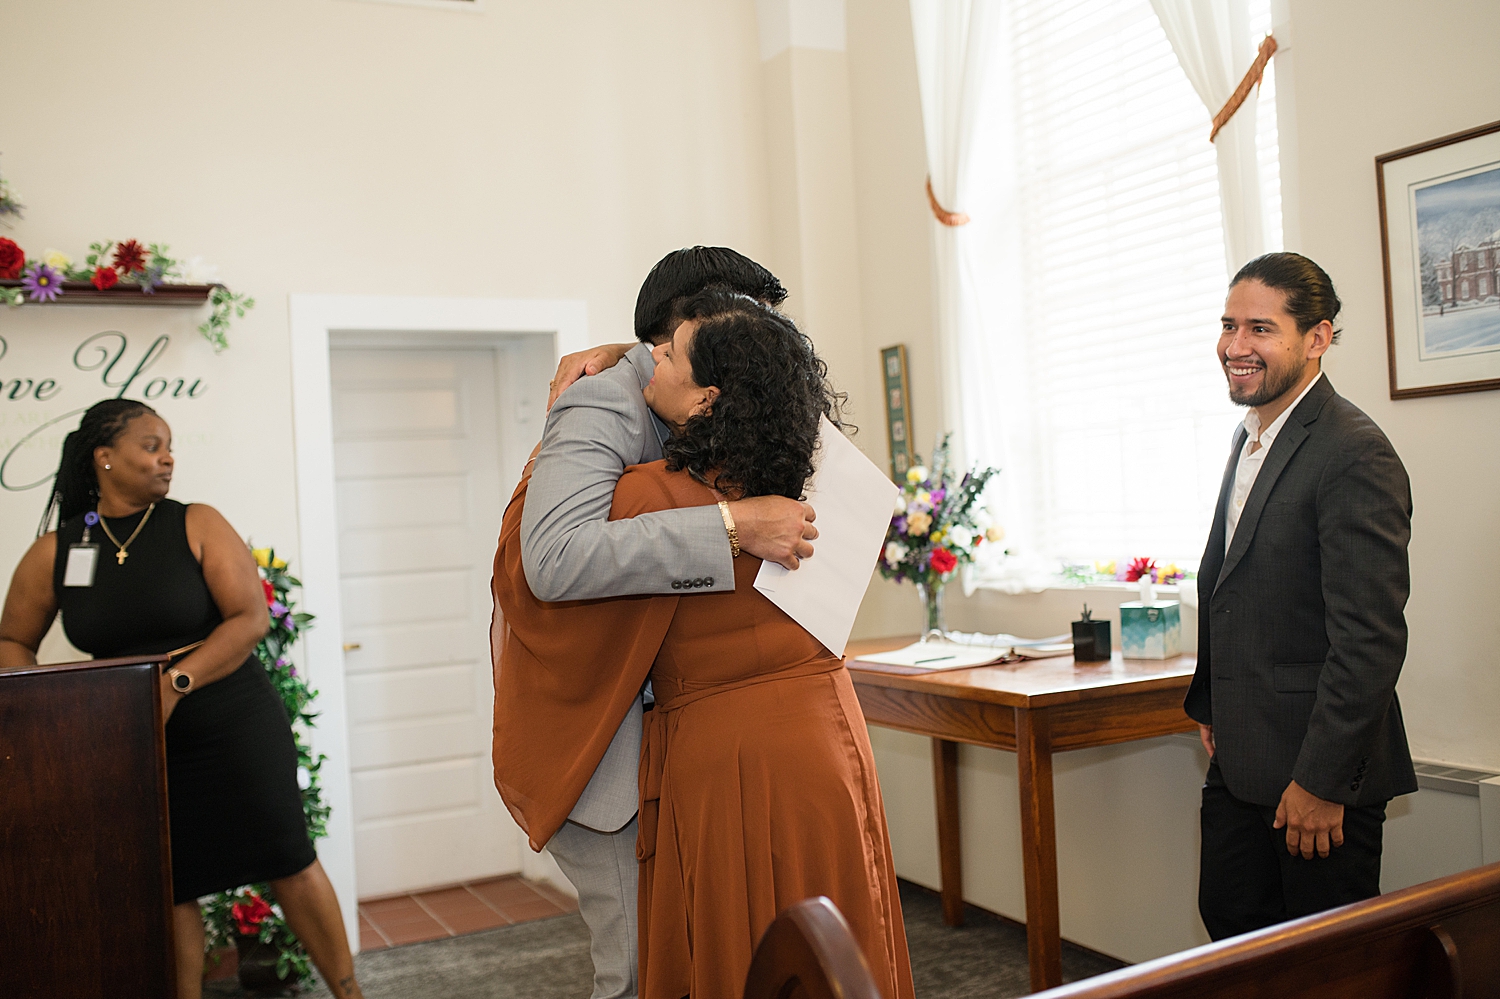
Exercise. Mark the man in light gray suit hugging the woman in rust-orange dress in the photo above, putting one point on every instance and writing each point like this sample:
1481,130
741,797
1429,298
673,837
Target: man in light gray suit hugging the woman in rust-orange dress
571,551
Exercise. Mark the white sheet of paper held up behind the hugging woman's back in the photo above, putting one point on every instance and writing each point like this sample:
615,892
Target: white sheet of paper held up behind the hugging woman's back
854,502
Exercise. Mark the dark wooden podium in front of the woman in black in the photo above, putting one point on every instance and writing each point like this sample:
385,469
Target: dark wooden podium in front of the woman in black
86,881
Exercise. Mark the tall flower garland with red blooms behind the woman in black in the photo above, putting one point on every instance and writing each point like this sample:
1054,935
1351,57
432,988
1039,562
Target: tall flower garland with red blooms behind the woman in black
251,916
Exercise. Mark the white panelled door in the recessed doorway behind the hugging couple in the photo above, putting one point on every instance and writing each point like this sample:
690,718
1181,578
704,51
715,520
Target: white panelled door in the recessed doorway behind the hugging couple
418,467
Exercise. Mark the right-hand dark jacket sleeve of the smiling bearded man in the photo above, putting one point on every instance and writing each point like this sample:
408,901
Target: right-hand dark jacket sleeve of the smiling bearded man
1364,527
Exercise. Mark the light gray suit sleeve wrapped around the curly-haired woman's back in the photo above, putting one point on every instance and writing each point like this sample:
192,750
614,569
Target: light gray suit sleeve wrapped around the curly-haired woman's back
569,547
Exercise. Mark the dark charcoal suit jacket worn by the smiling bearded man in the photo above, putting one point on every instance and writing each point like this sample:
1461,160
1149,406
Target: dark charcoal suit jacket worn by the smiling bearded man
1301,626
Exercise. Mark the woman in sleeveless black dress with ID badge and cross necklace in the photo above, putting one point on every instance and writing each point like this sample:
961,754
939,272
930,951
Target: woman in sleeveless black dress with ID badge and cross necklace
169,577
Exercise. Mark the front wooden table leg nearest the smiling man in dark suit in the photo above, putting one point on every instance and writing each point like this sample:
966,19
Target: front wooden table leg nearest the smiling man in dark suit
1039,847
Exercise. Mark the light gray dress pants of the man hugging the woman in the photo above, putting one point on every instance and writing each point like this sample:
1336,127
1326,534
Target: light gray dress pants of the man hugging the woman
604,869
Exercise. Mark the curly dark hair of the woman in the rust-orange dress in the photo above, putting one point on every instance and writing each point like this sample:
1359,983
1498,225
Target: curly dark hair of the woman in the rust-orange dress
760,436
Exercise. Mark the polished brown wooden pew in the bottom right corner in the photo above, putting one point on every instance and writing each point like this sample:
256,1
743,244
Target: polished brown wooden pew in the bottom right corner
1433,941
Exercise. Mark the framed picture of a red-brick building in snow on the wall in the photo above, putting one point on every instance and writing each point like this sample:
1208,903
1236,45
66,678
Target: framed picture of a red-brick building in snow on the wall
1441,244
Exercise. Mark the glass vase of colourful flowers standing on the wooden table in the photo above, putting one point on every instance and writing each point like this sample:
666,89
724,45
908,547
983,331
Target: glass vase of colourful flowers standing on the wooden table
937,527
